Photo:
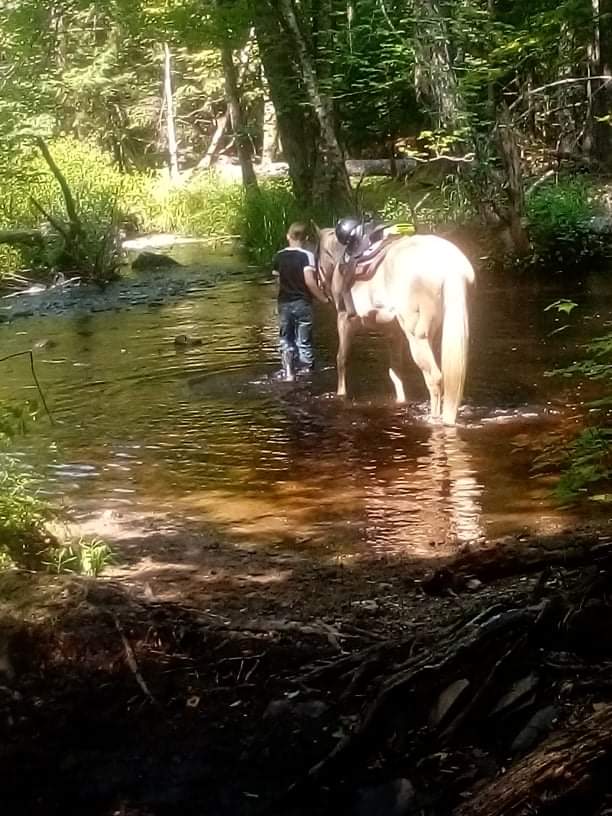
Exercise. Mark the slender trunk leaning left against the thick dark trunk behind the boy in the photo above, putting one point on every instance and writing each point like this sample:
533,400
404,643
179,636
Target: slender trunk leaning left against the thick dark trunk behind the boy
333,182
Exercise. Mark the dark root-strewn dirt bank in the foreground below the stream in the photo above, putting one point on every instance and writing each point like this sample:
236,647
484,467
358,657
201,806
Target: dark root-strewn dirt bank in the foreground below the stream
242,682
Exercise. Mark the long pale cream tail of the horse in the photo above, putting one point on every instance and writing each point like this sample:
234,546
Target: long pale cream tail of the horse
455,337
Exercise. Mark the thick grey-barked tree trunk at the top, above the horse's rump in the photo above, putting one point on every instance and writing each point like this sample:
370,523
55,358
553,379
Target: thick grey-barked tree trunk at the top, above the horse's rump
435,78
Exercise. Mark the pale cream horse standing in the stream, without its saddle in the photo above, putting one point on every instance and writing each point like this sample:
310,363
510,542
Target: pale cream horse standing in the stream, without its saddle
421,284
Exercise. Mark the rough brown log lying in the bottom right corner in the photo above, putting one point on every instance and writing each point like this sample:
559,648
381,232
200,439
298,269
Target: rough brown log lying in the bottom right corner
563,775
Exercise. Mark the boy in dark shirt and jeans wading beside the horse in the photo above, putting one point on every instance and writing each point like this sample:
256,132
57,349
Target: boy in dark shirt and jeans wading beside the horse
297,286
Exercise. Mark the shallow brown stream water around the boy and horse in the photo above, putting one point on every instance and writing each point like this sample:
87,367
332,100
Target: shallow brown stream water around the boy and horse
210,435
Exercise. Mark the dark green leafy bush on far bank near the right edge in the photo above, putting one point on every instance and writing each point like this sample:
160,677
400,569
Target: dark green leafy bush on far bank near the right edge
559,217
